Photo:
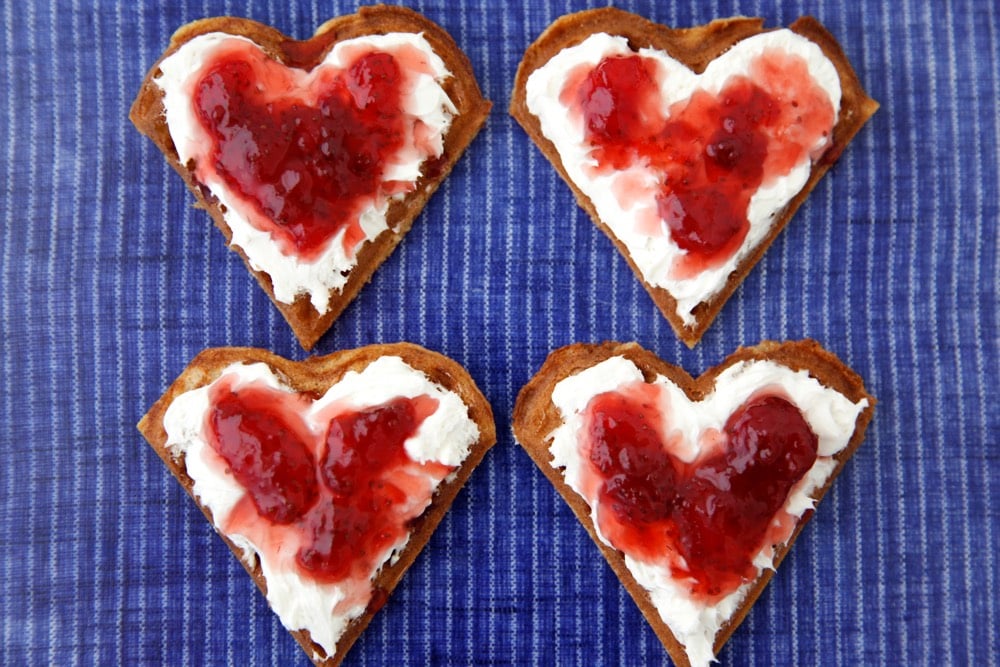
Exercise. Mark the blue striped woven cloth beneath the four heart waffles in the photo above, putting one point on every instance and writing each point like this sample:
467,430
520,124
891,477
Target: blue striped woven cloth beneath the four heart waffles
113,282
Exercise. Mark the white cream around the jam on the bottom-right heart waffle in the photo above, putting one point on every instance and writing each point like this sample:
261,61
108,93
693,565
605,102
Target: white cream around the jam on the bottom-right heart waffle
830,415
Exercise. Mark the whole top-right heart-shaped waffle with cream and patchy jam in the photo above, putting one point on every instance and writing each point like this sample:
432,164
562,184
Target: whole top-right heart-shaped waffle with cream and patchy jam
690,148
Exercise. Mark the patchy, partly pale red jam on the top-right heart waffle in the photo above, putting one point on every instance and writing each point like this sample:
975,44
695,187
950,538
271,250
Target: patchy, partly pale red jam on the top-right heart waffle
711,152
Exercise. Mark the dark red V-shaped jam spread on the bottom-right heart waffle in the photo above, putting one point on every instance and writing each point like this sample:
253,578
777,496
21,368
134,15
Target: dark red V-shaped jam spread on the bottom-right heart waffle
708,518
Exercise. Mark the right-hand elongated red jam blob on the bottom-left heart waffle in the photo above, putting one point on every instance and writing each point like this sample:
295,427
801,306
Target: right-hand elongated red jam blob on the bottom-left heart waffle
362,451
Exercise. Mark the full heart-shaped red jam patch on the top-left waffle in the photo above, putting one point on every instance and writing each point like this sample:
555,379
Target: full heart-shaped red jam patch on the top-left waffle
307,161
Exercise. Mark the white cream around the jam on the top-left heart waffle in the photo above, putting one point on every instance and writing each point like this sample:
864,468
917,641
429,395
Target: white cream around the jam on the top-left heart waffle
426,102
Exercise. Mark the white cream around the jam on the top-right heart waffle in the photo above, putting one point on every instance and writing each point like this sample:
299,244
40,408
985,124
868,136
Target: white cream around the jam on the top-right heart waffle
655,255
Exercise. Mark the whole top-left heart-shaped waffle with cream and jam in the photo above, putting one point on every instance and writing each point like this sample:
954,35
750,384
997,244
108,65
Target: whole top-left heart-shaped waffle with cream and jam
312,157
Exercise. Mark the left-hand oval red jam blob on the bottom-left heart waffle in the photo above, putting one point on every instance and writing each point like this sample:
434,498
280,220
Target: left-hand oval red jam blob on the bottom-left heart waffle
260,443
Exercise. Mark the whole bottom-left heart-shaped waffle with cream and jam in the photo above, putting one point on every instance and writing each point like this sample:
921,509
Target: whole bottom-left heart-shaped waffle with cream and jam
325,477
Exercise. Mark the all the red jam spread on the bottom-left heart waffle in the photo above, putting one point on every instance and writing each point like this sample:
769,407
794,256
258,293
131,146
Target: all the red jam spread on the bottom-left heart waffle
341,498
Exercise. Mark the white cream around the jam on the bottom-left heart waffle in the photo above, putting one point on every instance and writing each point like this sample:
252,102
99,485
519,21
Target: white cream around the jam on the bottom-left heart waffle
445,436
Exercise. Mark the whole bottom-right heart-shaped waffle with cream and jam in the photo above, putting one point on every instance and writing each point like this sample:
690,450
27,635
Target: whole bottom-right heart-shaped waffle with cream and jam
693,489
